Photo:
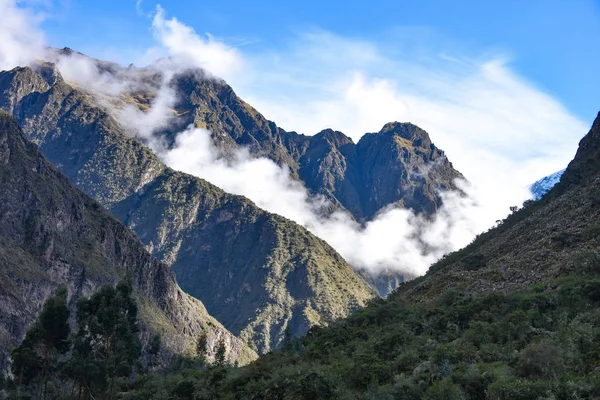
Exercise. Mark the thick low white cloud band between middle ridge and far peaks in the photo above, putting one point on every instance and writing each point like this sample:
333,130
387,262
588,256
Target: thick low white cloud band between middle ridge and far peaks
396,239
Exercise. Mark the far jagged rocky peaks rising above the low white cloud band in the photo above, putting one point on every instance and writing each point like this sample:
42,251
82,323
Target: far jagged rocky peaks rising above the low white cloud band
398,165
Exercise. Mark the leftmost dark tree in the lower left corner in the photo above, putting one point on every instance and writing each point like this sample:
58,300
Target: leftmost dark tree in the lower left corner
38,355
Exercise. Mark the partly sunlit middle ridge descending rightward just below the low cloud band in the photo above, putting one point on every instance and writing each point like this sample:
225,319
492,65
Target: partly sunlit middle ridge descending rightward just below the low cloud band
257,273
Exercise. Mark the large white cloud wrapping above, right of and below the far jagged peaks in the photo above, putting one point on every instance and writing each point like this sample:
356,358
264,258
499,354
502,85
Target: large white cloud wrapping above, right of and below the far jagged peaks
498,129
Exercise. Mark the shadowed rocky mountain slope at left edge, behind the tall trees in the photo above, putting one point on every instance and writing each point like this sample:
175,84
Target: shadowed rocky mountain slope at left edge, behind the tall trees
52,235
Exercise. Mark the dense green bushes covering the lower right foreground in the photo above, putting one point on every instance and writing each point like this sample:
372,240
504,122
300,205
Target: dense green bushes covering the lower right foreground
542,342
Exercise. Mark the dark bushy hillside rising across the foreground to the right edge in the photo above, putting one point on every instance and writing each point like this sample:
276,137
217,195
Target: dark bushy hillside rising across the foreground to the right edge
514,315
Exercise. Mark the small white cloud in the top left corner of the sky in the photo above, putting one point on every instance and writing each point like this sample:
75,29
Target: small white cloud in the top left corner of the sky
21,40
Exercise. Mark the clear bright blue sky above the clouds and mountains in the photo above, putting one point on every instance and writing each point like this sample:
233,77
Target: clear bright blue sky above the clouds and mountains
552,43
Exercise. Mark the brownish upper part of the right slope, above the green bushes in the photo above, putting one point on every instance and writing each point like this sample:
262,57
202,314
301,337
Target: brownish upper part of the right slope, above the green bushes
544,239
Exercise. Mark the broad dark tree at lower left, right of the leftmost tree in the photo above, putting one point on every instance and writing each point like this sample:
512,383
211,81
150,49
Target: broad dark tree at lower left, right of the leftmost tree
107,343
